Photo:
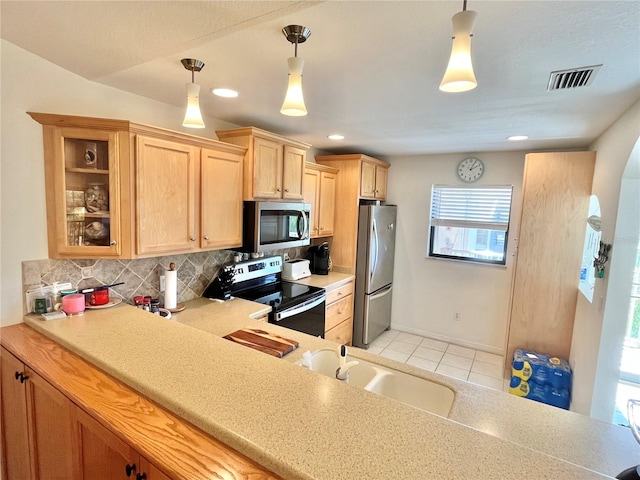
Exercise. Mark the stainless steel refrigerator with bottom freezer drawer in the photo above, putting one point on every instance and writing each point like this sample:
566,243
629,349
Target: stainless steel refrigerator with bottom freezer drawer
374,272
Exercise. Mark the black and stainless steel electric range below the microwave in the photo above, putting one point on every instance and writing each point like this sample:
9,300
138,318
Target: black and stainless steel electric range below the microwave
295,306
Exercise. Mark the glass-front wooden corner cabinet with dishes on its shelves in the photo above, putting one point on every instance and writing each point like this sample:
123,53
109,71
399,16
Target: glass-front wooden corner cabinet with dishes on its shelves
83,162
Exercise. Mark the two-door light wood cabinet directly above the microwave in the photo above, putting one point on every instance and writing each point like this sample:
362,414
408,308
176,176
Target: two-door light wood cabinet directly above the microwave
273,165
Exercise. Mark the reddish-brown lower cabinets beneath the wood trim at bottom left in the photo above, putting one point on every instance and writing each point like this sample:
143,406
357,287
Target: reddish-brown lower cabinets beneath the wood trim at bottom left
45,436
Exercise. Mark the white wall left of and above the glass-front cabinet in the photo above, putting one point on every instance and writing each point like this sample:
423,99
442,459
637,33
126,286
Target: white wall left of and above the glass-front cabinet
30,83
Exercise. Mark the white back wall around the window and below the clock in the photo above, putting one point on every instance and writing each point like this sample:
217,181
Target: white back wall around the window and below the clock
428,291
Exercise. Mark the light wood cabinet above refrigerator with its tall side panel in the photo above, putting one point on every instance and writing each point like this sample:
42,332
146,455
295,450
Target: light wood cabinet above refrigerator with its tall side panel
357,174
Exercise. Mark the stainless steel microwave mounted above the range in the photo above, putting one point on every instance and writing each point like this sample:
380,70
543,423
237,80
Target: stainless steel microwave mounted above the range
275,225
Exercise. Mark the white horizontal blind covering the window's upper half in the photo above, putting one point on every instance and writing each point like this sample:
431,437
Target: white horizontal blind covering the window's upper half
471,207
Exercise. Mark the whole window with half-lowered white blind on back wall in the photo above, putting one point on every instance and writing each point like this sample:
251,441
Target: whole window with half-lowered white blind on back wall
470,223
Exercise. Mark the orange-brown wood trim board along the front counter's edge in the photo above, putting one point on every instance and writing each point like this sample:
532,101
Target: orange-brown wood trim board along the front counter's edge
177,448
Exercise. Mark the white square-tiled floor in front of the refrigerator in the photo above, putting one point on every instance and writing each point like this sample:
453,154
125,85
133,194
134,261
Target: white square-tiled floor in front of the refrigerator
448,359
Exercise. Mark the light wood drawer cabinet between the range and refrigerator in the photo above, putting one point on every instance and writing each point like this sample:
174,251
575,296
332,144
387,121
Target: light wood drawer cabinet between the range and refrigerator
338,325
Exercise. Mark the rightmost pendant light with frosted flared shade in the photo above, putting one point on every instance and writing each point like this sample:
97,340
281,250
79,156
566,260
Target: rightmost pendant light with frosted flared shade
459,76
